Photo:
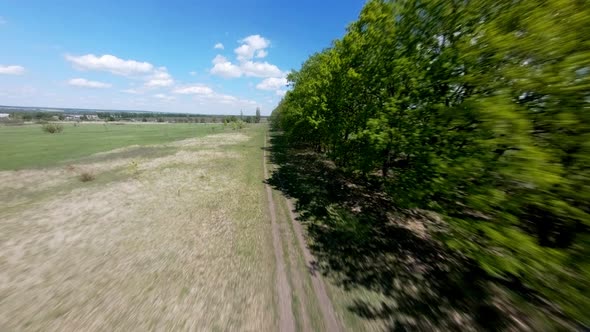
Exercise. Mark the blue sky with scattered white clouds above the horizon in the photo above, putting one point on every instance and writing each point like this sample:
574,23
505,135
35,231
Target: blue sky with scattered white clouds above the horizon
207,57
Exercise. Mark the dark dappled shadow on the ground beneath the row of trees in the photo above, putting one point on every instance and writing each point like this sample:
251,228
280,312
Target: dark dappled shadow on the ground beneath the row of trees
360,240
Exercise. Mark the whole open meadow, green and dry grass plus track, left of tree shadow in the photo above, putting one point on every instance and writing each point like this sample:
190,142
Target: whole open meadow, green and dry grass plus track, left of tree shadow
150,226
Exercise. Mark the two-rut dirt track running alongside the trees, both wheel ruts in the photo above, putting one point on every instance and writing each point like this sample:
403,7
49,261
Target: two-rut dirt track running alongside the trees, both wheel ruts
329,316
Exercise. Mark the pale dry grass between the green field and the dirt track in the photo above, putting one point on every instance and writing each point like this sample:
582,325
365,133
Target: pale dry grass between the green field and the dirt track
182,246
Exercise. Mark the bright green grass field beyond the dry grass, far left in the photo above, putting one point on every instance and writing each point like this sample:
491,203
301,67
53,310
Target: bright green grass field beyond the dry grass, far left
29,147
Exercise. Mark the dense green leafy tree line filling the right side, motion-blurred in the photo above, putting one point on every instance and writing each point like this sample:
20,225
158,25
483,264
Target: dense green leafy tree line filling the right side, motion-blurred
479,110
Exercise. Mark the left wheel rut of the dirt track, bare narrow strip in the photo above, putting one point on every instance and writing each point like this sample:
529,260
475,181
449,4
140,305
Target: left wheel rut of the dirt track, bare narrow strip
286,319
